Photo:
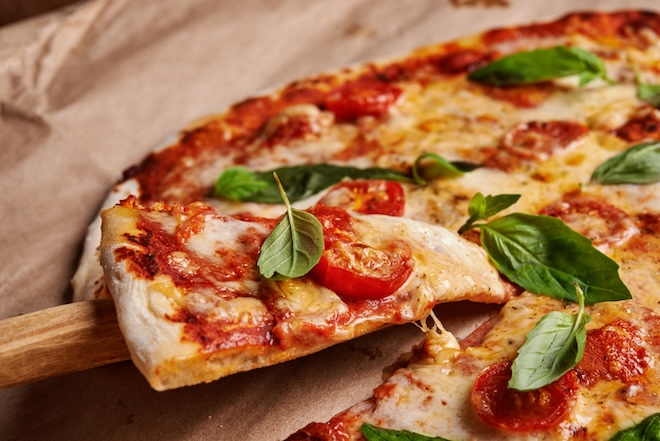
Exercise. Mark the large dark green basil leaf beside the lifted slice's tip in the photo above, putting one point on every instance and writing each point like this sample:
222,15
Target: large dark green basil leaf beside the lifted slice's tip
543,255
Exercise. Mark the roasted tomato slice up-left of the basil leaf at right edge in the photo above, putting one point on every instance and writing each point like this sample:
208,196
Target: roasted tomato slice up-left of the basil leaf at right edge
535,141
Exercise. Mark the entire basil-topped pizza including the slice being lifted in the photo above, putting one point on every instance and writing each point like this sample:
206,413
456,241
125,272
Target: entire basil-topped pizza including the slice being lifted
517,167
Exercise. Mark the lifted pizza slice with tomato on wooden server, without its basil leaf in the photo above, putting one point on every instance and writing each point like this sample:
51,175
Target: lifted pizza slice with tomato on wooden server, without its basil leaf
193,305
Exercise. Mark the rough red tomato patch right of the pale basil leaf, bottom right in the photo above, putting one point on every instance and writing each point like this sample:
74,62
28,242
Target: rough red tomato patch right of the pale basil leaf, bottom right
613,352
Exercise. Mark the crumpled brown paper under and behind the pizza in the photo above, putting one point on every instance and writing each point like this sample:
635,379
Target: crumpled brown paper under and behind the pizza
87,91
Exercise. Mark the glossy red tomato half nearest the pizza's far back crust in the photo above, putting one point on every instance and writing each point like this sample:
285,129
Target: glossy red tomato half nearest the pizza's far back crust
362,98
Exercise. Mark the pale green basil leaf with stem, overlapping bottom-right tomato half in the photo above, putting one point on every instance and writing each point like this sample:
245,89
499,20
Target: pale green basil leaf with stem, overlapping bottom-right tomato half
552,348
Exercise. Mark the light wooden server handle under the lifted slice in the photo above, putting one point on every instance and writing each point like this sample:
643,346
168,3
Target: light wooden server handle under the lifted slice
59,340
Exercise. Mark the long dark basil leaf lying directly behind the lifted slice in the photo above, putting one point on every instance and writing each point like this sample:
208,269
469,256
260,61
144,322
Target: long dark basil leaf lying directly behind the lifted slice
302,181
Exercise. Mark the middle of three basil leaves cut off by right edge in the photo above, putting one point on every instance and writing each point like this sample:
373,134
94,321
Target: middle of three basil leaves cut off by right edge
639,164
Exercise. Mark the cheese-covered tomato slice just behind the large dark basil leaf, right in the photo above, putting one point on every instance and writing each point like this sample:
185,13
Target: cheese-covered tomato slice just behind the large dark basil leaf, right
603,223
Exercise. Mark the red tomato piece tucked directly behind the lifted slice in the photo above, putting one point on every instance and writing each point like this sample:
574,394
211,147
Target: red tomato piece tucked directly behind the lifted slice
368,197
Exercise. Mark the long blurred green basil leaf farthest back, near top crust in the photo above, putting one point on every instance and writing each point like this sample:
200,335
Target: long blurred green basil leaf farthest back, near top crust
542,65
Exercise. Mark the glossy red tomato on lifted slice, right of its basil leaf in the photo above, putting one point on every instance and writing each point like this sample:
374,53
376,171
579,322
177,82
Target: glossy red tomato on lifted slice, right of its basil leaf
353,269
